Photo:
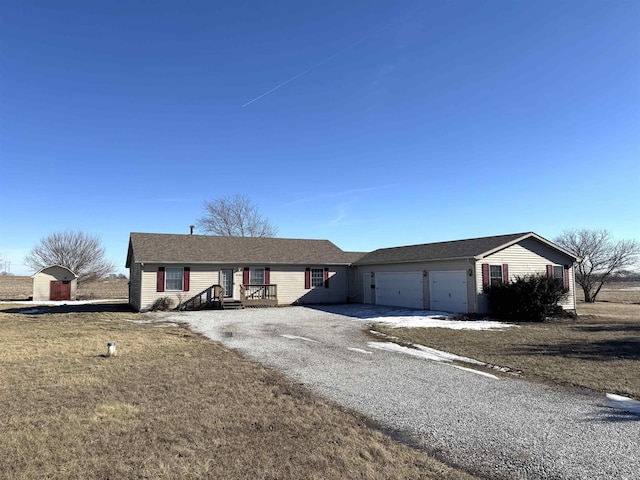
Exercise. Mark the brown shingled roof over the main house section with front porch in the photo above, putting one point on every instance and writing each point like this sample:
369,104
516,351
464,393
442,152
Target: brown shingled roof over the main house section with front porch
173,248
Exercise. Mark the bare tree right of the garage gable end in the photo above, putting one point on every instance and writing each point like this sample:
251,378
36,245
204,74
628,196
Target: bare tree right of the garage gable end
600,257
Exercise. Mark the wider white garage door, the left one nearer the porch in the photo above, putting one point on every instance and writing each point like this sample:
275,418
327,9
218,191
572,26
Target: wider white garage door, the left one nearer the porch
399,289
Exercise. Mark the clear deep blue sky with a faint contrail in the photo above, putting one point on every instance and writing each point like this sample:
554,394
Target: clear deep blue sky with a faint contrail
369,123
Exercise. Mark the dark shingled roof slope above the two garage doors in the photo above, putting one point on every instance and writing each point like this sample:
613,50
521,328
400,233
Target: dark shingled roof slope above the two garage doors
439,251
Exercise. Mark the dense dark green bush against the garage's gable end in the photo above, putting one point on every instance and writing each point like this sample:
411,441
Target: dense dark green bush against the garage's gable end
529,298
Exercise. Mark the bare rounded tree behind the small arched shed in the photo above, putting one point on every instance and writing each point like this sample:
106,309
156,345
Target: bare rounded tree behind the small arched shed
81,253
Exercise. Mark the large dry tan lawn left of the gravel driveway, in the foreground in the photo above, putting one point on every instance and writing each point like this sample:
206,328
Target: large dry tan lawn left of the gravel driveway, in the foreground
170,405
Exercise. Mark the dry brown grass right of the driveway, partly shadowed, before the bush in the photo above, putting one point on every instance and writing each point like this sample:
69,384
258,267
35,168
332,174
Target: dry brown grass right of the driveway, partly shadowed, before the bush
600,350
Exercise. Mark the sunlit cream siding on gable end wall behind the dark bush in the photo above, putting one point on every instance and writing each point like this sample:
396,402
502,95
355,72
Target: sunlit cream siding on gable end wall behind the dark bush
526,258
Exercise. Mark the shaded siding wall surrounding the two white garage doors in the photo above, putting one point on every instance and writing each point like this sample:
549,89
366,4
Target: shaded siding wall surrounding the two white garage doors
439,266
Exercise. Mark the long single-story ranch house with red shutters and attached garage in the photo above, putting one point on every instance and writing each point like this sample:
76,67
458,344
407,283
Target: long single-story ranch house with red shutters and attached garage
201,271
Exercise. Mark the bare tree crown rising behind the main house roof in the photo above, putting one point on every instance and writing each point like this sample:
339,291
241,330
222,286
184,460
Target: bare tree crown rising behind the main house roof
235,216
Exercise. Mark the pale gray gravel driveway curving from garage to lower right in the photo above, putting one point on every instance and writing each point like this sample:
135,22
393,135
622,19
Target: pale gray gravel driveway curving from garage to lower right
504,428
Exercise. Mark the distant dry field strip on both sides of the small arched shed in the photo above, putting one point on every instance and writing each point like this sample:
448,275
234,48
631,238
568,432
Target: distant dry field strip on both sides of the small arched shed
21,288
